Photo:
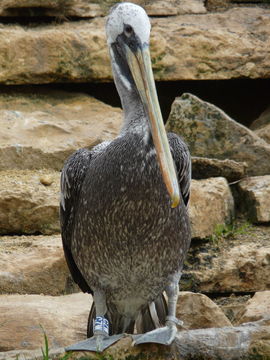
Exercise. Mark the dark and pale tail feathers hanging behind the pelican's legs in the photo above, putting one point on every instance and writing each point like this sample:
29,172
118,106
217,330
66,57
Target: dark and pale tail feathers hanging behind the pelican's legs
150,318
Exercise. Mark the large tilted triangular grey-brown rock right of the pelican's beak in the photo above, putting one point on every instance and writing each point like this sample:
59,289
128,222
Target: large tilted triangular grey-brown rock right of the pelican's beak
209,132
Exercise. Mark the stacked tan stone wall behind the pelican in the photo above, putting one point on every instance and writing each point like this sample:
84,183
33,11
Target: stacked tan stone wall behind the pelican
47,49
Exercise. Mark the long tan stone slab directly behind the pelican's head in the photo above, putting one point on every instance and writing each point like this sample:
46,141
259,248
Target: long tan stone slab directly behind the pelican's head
188,47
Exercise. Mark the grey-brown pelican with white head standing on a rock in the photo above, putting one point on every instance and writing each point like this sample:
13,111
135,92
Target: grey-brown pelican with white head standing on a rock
123,211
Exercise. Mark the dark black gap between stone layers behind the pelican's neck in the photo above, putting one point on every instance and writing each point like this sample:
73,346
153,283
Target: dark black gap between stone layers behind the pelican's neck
242,99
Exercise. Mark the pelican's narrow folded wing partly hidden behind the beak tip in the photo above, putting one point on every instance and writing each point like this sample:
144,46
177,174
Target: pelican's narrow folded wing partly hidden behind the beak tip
181,157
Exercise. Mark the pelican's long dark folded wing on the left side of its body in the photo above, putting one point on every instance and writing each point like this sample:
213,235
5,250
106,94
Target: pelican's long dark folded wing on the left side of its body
72,178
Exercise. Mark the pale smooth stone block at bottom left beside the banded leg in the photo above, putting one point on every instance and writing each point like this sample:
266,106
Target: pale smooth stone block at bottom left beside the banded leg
63,318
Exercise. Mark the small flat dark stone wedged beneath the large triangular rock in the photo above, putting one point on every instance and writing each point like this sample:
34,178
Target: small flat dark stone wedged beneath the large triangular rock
203,168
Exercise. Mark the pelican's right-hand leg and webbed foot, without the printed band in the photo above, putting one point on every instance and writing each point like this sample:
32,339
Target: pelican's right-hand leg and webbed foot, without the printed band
166,334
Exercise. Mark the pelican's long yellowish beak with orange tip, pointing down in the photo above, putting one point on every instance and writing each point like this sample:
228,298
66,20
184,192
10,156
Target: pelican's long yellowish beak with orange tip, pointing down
141,69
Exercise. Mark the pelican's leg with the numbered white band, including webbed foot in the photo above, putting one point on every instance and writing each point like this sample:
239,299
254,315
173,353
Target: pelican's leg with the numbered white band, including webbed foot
101,339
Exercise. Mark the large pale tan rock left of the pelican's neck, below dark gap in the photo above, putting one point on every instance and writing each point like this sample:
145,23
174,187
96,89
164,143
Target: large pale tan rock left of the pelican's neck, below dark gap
41,128
